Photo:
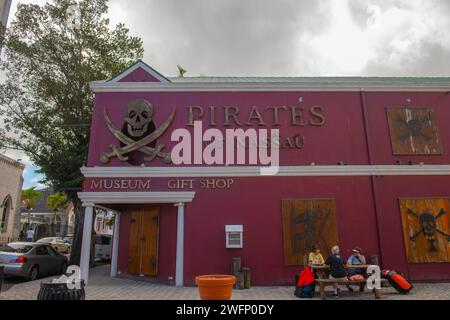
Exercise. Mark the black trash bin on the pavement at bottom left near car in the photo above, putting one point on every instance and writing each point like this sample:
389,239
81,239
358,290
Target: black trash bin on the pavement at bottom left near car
60,292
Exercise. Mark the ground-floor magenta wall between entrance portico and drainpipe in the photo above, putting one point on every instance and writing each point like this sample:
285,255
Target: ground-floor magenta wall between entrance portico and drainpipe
256,203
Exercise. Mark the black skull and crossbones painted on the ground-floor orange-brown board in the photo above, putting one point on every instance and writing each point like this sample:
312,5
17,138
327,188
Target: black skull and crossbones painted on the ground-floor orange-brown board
428,228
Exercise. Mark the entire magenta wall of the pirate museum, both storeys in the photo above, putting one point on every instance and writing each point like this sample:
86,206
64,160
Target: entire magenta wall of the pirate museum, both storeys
256,202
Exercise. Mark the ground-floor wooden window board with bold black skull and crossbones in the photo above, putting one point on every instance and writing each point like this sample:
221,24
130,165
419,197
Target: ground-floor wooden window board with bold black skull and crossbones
426,229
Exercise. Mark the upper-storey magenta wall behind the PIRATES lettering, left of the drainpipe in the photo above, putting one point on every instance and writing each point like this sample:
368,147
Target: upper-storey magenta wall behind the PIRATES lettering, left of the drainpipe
343,134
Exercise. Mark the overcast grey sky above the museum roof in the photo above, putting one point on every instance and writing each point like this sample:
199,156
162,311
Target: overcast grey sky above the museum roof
290,37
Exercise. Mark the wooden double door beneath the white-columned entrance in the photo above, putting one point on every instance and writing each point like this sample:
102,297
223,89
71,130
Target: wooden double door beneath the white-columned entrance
144,236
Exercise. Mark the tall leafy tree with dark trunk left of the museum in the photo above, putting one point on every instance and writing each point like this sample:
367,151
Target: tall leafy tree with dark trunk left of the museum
52,53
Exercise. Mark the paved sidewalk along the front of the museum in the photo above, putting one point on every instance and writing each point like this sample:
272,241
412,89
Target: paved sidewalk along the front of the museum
102,287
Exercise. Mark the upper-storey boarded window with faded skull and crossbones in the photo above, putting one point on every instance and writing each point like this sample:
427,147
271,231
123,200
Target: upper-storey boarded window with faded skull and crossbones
414,131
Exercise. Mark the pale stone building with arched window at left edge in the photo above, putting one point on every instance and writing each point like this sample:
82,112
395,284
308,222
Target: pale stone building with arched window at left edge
11,182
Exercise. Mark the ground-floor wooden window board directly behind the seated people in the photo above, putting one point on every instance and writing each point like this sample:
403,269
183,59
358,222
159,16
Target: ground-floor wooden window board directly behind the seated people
306,223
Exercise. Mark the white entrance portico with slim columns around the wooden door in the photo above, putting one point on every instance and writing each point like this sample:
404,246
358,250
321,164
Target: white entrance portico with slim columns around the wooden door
92,199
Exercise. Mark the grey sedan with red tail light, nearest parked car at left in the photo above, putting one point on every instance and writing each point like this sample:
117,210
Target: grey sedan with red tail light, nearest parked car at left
31,260
